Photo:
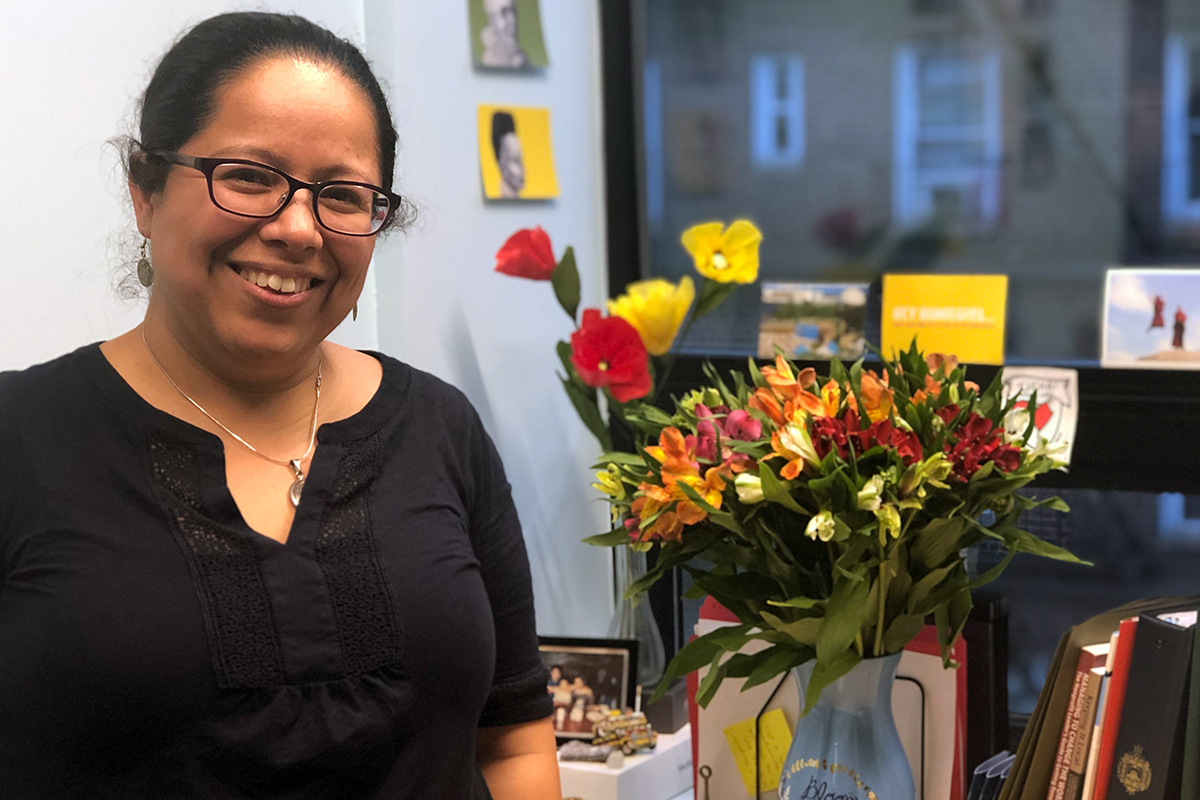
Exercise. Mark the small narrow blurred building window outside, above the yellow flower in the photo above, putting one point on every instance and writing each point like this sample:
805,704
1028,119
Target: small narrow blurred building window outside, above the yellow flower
777,111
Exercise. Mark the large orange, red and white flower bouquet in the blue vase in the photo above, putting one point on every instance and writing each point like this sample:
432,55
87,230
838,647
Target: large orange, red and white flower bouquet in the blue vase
829,514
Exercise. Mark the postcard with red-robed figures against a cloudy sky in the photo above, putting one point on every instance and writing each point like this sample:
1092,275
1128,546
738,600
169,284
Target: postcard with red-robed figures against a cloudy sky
1148,314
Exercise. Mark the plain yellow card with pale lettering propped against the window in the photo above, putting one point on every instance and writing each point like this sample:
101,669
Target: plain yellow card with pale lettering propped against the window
953,315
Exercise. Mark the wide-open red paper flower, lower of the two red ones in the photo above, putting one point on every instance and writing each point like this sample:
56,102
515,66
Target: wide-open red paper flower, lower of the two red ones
609,352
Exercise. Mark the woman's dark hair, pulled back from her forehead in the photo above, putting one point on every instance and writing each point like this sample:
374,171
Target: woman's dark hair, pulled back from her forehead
179,101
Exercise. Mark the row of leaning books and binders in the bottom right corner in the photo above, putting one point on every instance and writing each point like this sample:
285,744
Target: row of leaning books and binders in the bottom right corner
1120,714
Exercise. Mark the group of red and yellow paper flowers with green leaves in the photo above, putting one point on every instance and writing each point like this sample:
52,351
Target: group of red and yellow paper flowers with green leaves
627,356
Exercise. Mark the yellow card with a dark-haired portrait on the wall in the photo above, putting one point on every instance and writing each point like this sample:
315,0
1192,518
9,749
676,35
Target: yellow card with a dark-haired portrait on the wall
517,159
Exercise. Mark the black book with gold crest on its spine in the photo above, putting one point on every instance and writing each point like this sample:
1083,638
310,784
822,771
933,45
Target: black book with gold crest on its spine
1148,756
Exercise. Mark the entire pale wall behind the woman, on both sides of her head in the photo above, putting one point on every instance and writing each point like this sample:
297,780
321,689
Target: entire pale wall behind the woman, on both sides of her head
70,74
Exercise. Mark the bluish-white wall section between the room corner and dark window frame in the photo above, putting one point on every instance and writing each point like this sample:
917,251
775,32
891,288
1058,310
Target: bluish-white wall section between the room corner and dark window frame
442,308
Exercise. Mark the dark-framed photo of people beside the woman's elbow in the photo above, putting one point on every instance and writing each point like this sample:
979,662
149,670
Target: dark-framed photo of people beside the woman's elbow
589,678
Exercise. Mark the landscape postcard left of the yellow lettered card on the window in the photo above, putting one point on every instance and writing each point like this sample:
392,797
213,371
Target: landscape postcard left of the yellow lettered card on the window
813,321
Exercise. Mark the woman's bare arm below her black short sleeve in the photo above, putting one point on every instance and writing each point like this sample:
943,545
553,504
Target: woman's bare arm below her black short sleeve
519,761
